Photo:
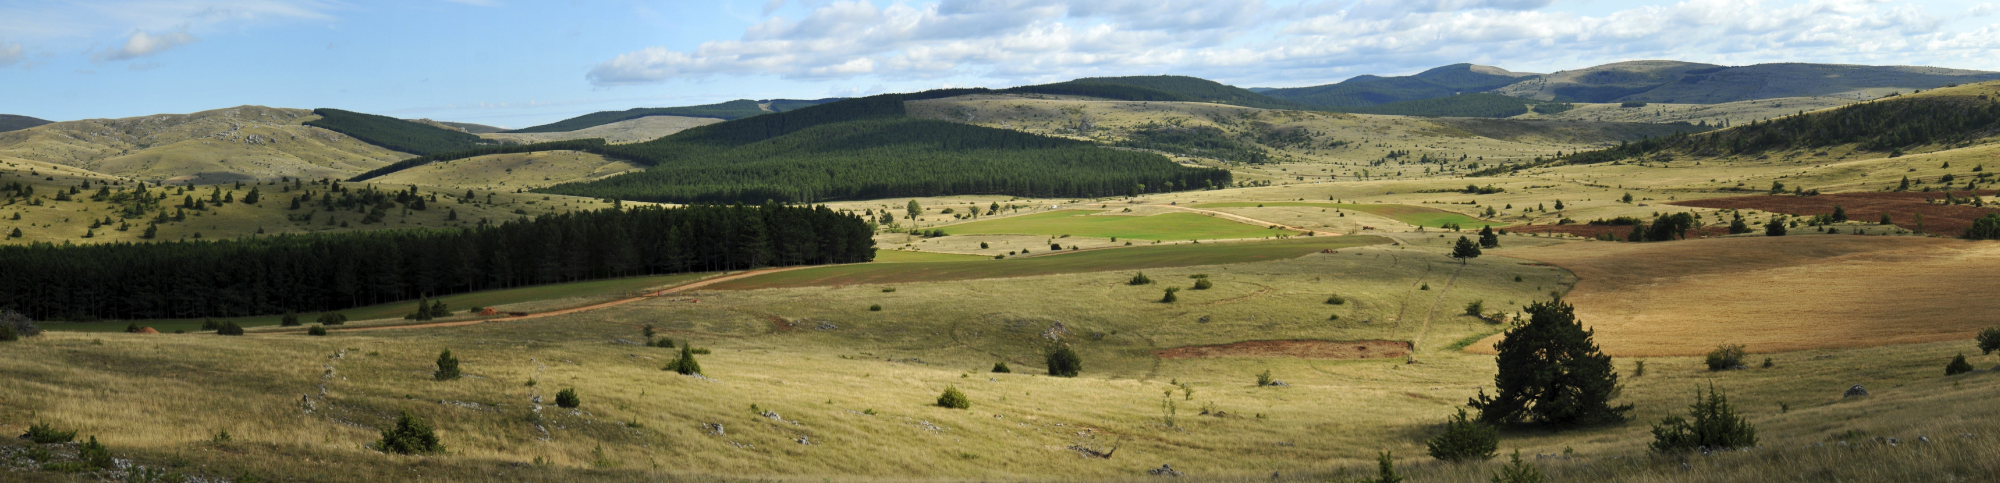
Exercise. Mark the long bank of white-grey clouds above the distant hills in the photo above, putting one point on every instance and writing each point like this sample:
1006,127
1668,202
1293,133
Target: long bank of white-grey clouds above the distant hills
1269,43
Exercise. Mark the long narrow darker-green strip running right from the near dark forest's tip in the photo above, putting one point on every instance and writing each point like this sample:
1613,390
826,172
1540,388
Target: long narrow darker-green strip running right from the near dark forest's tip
1097,260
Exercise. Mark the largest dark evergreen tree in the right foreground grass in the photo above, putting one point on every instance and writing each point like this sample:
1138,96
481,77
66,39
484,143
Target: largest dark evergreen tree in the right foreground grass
1551,374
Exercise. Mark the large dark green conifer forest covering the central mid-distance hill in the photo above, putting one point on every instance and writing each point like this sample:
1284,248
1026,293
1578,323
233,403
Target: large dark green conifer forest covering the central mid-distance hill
863,149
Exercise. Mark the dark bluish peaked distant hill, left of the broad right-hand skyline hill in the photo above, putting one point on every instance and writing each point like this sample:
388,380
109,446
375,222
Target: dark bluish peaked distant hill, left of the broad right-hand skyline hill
1371,91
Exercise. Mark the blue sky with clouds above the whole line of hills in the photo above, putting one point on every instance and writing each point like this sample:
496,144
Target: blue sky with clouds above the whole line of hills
519,63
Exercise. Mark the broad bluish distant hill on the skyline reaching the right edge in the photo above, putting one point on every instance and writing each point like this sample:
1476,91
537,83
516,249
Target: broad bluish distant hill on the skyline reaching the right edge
1683,83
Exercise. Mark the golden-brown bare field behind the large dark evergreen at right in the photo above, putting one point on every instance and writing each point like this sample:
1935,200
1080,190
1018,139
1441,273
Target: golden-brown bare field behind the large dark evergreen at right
1777,294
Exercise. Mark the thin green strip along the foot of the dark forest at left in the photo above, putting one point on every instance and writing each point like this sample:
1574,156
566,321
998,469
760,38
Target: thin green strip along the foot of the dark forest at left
493,298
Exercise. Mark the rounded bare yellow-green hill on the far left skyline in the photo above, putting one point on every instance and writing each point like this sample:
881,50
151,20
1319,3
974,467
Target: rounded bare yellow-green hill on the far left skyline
247,143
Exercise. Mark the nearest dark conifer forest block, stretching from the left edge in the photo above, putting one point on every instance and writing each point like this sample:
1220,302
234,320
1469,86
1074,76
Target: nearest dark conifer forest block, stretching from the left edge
361,268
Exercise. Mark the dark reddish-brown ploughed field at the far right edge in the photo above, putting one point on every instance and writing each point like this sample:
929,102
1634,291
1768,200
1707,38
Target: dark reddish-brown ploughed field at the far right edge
1869,209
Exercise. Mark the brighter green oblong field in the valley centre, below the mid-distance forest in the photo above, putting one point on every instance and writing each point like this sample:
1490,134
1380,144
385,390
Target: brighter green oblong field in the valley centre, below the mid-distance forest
1081,223
